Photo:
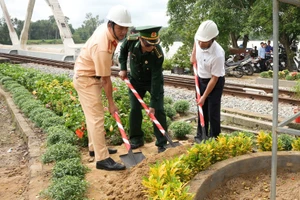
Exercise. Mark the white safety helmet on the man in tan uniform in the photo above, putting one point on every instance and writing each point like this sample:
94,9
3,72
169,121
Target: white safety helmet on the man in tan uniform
120,15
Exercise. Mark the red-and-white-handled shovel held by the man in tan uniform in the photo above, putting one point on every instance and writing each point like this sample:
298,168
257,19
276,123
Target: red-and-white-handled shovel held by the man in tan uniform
130,159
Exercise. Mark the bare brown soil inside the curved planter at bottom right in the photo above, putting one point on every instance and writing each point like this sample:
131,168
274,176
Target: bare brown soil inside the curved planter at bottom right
257,186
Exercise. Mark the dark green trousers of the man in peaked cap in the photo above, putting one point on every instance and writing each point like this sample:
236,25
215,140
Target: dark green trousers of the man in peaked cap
135,133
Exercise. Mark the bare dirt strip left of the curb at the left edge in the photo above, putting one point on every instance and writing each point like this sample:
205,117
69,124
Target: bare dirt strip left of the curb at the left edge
14,175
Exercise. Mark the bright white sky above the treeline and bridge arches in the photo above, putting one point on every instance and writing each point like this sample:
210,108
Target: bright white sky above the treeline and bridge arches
143,12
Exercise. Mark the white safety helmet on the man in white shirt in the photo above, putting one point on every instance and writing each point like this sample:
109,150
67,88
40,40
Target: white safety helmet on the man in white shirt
207,31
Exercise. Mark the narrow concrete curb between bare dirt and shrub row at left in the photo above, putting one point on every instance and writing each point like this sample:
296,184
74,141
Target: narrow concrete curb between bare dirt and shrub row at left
35,167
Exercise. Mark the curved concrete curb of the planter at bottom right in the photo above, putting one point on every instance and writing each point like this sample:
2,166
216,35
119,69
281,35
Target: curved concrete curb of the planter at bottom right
207,181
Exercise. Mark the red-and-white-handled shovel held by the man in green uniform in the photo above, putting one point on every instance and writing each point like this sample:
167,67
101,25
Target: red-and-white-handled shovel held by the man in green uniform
151,115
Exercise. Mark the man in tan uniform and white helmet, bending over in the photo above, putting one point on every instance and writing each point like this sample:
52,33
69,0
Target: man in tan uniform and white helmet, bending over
92,73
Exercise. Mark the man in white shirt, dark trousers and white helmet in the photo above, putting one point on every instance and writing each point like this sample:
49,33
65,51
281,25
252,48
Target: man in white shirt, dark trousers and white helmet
209,57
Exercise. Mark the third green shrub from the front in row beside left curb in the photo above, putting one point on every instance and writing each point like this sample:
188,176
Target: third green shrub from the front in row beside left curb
58,152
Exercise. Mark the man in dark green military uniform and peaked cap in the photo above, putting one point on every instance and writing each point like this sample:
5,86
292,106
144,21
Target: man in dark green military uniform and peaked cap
146,59
